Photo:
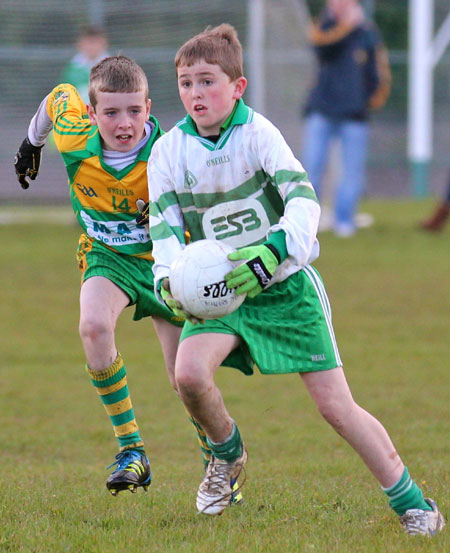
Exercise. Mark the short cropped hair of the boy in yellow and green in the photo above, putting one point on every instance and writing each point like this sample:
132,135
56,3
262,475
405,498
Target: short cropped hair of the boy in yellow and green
116,74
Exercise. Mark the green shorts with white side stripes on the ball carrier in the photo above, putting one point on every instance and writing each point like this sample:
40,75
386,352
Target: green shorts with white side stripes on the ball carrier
285,329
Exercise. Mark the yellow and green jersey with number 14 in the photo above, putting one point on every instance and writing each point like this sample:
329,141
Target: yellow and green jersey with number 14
103,198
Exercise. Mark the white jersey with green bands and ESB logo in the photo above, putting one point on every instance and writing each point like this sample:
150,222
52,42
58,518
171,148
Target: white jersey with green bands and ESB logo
239,190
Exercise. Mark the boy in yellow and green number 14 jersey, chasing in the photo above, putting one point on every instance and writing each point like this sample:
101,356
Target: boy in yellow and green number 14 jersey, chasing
105,147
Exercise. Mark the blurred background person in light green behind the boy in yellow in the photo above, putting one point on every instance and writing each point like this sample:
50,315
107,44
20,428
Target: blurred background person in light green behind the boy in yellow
92,47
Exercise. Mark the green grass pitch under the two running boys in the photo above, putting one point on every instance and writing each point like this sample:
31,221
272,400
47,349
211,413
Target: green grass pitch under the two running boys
306,491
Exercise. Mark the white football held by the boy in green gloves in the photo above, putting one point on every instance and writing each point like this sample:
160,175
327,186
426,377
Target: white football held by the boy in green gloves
197,280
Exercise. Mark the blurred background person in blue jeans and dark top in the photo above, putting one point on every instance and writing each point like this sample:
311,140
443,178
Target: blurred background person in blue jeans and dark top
353,78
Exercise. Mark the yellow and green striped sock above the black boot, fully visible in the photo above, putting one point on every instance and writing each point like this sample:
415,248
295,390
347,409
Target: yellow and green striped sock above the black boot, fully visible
111,385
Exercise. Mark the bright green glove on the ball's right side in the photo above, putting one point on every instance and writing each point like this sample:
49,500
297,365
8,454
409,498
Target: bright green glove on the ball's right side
252,277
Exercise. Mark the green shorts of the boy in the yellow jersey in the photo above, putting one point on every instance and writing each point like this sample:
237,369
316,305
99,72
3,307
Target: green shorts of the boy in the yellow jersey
133,275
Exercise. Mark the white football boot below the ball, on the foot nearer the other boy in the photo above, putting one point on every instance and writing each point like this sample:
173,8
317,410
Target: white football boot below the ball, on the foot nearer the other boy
215,491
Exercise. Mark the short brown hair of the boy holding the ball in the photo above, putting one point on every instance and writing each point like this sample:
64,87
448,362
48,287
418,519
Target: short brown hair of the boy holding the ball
216,45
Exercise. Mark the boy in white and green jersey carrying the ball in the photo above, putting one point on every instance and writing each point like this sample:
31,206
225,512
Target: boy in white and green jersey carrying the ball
226,173
